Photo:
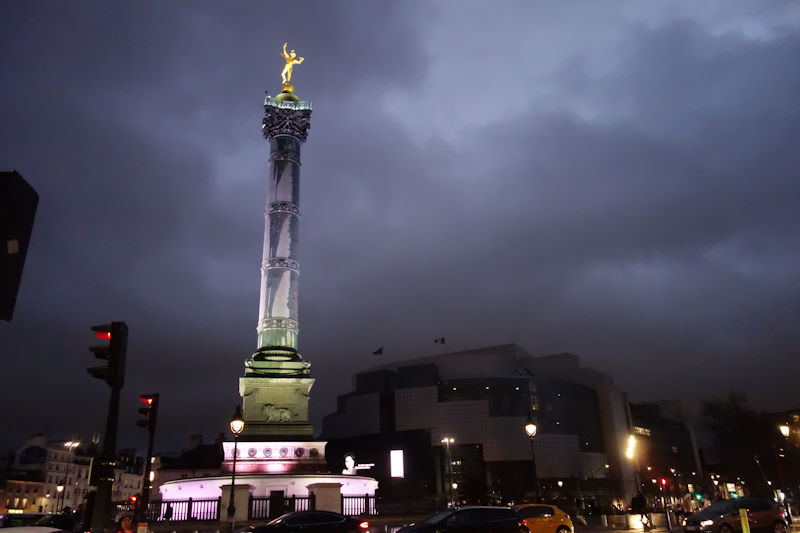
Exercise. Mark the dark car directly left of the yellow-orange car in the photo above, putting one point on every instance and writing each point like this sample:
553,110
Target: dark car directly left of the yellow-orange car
471,520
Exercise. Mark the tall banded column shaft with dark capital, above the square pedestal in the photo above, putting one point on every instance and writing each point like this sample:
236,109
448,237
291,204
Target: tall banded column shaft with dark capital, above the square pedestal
286,124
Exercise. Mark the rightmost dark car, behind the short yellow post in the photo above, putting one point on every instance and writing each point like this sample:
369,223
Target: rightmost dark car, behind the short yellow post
723,517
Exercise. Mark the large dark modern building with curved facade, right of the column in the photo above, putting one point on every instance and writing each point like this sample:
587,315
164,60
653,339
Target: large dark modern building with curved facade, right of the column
458,421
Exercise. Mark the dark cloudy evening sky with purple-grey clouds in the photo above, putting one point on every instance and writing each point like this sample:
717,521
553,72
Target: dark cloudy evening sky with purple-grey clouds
620,180
